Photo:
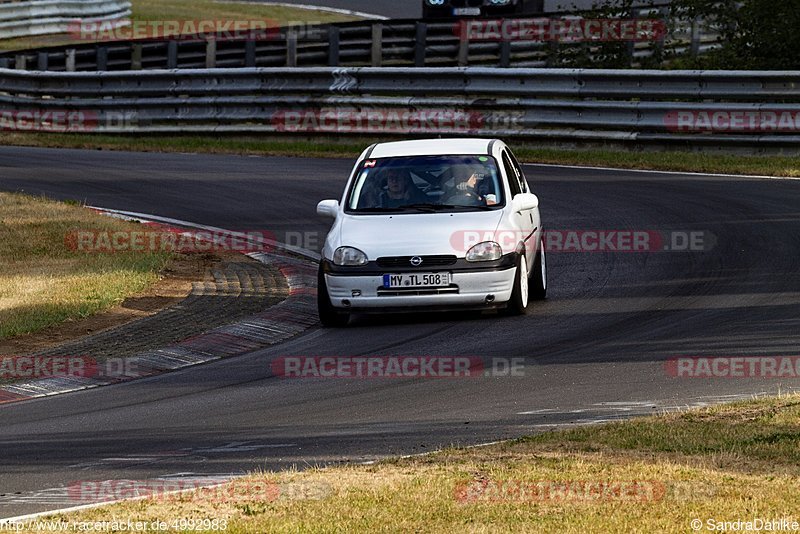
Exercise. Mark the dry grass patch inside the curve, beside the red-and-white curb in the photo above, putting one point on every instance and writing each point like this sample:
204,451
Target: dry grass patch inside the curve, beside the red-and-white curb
44,283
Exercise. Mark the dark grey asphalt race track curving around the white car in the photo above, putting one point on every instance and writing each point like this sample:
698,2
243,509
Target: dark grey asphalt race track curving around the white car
594,350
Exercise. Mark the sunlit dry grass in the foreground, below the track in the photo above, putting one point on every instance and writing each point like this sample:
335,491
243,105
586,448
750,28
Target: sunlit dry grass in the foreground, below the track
655,474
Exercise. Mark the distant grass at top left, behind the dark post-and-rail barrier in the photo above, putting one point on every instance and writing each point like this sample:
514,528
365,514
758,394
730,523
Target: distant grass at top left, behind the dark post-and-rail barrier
185,10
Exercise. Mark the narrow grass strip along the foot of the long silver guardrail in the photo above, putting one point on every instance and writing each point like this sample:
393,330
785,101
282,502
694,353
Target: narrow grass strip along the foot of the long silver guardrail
350,148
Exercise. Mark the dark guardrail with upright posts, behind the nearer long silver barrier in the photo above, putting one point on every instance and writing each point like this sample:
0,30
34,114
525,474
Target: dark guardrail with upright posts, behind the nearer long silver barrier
363,43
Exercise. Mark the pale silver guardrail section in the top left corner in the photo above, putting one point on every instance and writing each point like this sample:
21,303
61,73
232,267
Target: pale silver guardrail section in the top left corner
40,17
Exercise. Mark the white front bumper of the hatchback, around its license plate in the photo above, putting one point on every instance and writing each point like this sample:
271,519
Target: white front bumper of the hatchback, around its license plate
475,289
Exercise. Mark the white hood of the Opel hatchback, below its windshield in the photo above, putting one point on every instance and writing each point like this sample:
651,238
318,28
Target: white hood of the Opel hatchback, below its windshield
419,233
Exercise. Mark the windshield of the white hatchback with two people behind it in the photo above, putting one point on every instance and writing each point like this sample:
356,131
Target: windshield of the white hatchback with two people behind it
426,184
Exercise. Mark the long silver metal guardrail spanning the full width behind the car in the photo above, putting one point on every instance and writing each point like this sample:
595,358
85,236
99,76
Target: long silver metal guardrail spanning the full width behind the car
632,106
